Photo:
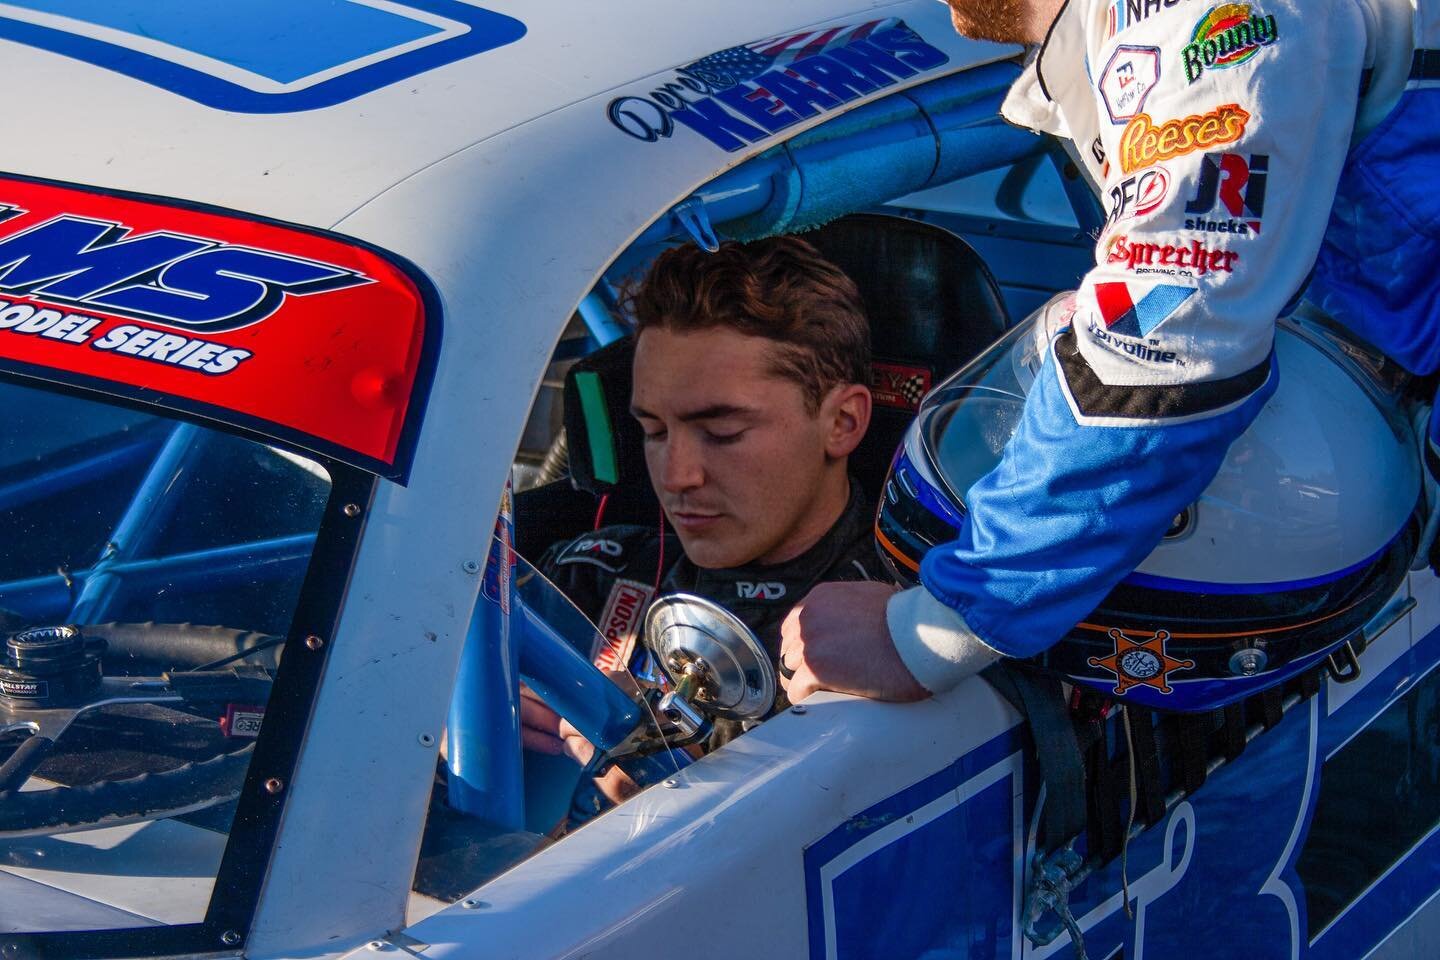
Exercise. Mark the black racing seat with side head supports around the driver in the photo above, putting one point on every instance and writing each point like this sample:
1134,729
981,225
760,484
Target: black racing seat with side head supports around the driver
932,306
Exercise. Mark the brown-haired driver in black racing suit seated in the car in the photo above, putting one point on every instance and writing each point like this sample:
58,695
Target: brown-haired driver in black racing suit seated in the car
750,382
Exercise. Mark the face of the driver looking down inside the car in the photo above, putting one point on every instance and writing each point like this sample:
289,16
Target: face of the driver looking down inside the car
737,457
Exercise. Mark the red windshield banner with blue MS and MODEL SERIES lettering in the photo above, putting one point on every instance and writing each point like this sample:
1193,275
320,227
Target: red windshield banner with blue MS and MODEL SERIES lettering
282,330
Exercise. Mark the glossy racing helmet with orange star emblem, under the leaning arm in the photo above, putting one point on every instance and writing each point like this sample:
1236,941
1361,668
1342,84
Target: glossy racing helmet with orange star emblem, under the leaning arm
1301,539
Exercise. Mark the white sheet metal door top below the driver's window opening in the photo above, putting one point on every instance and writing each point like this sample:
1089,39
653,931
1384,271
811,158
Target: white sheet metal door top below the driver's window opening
712,869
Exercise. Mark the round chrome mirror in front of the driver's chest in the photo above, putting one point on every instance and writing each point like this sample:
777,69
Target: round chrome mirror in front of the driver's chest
712,657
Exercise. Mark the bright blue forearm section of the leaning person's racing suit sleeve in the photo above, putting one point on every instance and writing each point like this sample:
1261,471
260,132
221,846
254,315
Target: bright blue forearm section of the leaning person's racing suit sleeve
1071,510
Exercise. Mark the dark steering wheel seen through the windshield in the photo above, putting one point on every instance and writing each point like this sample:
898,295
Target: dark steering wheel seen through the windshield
55,676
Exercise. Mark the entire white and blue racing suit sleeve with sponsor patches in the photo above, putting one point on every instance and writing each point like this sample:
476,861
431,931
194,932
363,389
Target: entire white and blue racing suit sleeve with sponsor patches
1225,132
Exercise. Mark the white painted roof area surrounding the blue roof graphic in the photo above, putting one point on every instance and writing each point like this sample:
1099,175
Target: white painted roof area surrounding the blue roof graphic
102,127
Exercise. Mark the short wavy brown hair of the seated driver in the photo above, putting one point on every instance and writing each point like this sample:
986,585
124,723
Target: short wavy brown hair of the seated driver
780,289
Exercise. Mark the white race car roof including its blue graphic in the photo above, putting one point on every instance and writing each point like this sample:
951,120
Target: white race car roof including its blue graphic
305,110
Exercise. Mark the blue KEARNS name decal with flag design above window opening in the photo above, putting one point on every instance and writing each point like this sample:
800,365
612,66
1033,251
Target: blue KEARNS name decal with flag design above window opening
745,94
